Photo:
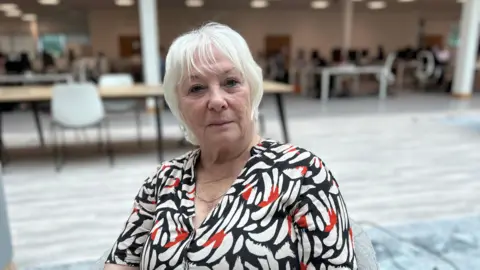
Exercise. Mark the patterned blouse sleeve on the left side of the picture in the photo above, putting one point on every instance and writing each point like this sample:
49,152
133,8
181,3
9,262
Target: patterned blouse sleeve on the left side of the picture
128,248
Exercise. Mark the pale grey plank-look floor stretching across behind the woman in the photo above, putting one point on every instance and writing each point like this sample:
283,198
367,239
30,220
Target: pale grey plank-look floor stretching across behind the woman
397,162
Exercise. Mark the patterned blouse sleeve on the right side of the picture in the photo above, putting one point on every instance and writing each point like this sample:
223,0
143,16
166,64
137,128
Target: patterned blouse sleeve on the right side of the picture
322,223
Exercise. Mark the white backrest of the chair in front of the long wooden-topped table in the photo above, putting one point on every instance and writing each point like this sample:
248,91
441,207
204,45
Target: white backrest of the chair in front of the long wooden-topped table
76,105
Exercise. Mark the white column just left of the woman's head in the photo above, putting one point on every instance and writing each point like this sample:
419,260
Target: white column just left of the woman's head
149,37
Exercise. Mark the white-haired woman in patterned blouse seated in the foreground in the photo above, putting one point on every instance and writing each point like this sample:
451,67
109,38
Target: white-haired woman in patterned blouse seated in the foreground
238,201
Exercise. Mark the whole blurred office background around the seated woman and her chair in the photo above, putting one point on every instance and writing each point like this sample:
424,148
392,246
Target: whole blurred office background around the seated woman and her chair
386,92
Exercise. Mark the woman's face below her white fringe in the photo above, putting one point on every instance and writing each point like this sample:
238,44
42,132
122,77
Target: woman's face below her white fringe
215,103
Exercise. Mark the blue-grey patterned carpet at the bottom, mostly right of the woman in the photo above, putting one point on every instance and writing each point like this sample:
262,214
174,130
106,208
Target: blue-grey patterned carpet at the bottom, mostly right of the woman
450,244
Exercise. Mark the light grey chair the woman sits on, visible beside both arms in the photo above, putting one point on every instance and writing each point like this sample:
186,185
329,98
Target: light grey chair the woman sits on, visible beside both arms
364,251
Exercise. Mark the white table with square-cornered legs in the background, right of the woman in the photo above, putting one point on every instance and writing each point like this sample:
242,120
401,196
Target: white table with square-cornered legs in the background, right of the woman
354,70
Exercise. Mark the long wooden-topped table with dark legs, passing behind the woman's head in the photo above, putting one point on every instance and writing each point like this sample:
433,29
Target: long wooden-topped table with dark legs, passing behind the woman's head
37,94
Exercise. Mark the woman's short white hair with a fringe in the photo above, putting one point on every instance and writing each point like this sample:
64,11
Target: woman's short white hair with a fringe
197,44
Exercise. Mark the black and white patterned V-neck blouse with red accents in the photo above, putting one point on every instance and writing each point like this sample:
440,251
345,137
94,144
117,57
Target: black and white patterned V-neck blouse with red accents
284,211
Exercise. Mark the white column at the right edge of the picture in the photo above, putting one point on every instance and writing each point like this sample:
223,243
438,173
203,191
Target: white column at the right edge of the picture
467,50
